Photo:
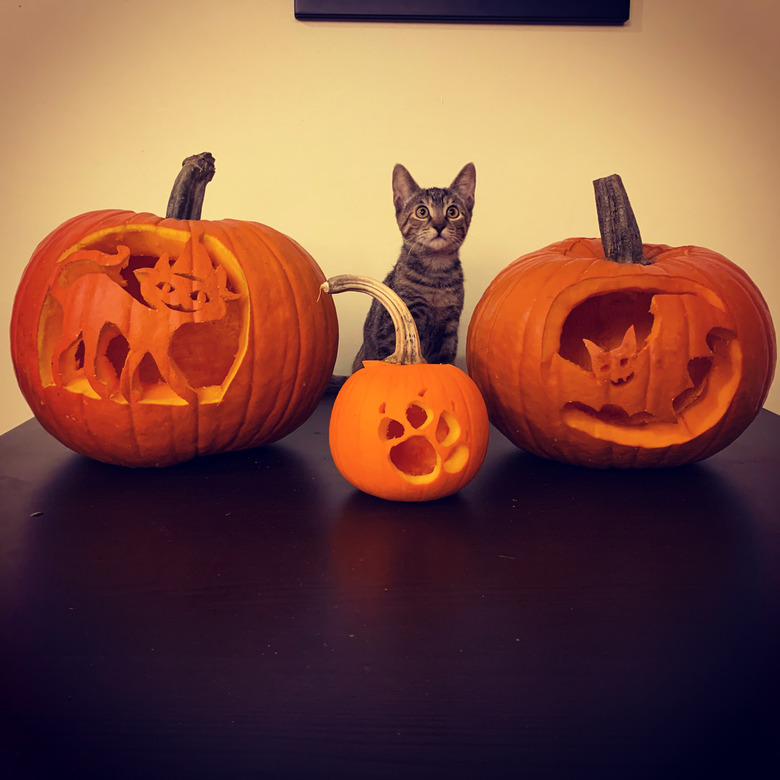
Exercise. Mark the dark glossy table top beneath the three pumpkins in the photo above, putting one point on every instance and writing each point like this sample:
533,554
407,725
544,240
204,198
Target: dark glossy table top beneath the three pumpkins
252,615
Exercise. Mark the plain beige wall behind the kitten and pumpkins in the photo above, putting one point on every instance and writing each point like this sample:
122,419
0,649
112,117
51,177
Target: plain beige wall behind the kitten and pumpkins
101,101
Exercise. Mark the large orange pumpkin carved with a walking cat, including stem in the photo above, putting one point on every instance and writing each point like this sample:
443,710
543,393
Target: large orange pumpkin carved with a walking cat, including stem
145,341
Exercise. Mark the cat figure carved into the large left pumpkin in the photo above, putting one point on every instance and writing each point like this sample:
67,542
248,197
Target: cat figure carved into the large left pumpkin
187,290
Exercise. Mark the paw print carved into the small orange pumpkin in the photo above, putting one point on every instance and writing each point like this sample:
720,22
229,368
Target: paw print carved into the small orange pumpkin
424,443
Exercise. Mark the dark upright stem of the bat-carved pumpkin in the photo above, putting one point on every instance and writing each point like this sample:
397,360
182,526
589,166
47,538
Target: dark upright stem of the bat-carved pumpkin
619,230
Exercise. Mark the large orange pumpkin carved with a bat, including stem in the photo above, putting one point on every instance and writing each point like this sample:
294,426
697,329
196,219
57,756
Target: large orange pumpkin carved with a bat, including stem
616,353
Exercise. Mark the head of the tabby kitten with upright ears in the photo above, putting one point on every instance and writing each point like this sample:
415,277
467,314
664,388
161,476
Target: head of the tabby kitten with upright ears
434,220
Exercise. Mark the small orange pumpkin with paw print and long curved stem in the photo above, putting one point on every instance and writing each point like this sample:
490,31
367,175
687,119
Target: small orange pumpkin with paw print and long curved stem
402,429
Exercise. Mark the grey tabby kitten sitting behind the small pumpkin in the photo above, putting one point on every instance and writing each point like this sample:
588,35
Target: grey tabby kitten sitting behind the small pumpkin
428,275
